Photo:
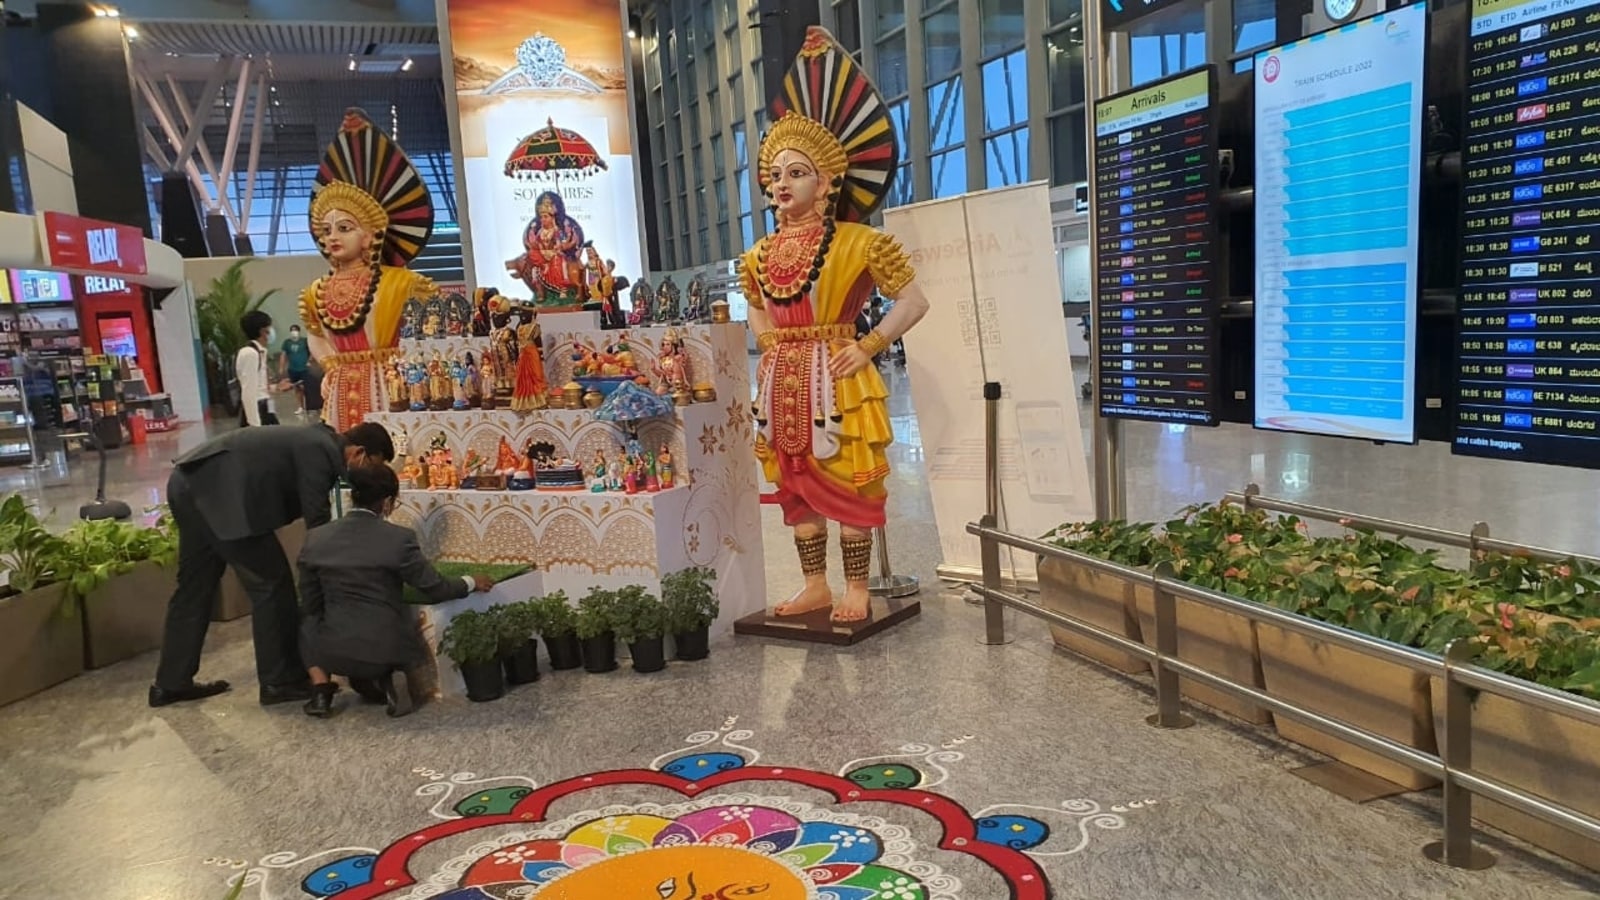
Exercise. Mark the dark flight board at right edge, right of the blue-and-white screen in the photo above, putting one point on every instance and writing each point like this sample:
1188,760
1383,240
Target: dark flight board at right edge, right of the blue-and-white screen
1529,337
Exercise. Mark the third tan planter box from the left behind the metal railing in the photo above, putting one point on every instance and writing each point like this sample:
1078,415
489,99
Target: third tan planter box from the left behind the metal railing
1343,685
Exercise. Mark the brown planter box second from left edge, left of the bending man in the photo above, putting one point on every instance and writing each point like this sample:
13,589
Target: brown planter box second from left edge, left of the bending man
126,617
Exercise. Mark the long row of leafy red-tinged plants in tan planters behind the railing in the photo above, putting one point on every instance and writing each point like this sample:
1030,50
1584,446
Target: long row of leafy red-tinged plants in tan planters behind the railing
1526,617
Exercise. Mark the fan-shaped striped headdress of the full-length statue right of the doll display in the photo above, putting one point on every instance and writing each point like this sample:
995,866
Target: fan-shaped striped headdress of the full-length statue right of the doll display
834,115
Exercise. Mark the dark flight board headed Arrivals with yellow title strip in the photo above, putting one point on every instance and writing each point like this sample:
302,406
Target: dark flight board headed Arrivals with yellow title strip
1154,187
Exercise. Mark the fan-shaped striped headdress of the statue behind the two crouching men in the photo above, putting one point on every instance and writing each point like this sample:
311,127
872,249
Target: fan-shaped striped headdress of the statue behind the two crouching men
367,175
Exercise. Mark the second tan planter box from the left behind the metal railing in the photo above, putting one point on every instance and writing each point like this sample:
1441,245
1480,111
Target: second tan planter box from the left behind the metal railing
1218,643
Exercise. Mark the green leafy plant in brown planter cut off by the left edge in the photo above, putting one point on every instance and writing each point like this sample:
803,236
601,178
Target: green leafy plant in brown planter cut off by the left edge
41,635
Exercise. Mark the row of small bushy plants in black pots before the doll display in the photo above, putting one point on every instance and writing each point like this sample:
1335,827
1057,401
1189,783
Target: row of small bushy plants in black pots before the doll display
500,646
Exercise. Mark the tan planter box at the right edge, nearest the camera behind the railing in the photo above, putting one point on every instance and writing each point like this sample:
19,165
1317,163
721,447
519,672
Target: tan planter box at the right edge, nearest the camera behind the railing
1542,753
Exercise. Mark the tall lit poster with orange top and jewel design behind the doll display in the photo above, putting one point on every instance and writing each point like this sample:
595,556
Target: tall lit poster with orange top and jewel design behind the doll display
543,126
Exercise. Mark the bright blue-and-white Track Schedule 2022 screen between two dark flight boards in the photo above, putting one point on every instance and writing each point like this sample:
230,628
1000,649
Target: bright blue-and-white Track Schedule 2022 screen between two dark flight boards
1338,195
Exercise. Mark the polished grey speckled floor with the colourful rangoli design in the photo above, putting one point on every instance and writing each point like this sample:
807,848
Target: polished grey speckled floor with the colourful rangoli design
108,798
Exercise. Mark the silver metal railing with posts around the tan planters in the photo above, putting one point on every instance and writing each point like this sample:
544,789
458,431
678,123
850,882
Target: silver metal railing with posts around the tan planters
1454,763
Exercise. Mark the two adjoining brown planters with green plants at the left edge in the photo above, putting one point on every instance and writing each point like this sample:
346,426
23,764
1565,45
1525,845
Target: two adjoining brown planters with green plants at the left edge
86,598
